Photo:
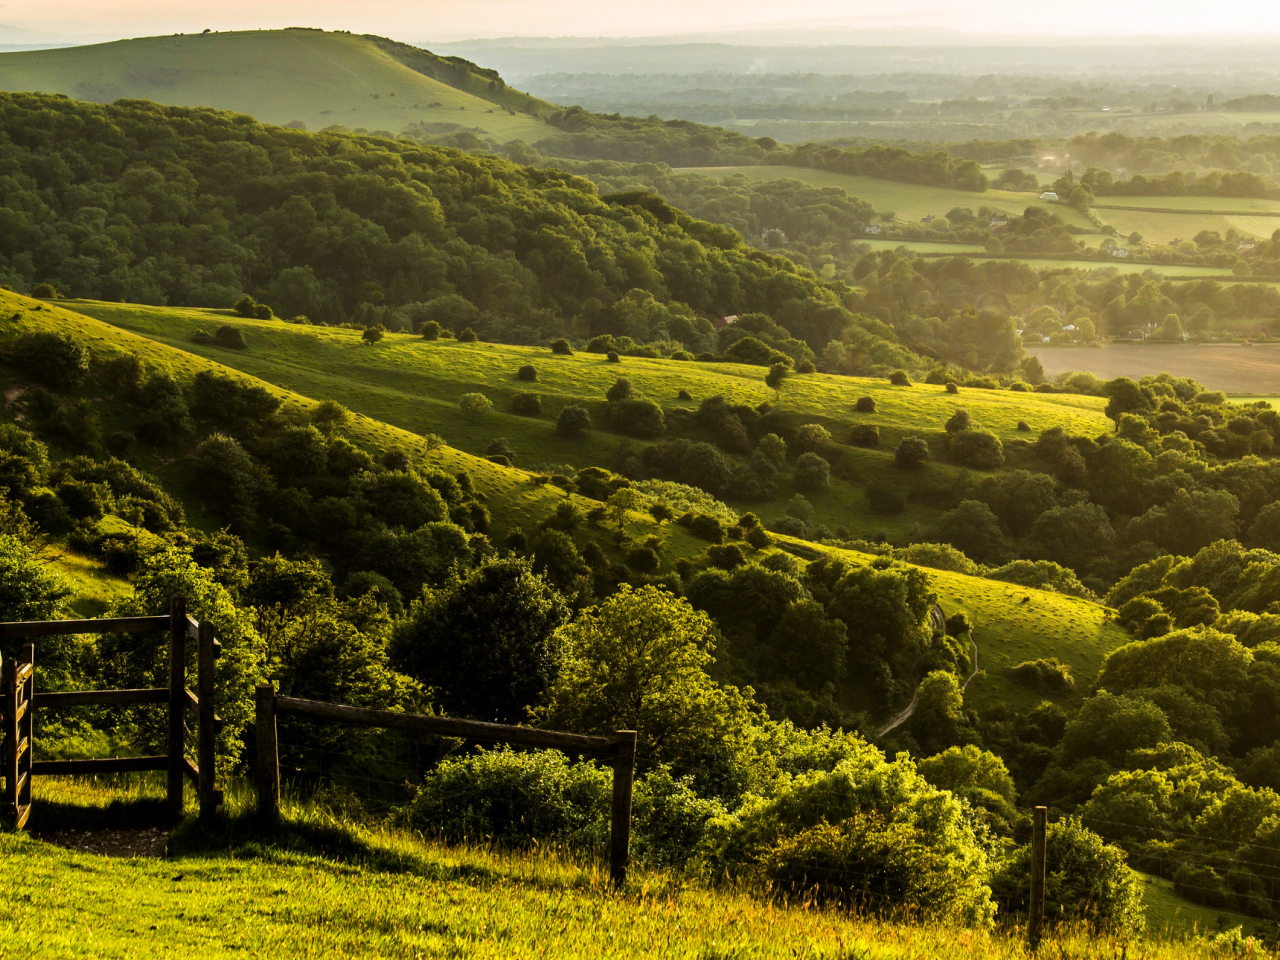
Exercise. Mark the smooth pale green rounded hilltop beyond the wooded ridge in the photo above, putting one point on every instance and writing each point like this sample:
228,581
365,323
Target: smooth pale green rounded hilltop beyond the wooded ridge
277,76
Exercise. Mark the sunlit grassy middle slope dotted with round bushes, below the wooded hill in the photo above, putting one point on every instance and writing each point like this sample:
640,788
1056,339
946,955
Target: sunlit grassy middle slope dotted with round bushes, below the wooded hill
415,386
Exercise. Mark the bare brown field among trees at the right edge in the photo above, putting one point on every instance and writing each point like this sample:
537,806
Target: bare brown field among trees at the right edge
1231,369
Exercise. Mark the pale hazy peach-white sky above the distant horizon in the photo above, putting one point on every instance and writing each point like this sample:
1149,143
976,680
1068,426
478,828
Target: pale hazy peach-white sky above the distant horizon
437,20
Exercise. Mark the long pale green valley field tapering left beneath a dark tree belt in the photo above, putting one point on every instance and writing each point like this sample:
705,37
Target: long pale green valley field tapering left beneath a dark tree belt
907,200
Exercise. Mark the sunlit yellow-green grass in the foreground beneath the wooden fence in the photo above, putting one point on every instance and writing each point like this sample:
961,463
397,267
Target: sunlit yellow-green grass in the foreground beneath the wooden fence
331,883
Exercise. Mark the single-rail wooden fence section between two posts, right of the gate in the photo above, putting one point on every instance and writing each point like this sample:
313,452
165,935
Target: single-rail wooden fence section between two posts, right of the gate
619,751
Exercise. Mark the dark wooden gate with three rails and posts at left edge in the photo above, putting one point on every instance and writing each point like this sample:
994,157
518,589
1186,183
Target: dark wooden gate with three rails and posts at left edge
20,702
